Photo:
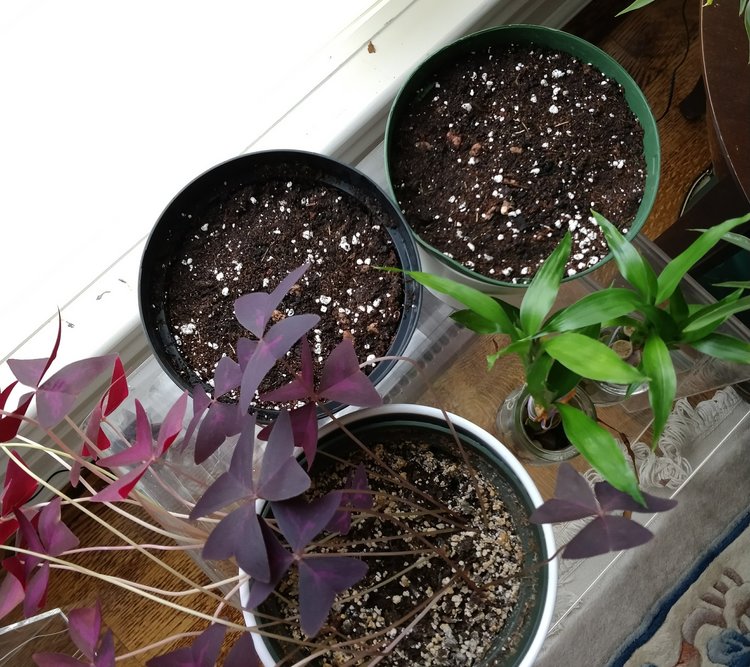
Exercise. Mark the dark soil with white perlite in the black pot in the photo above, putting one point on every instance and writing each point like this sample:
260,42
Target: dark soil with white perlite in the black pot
251,239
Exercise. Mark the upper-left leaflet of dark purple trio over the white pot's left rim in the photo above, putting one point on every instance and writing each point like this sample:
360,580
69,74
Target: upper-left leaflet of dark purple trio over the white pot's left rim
237,482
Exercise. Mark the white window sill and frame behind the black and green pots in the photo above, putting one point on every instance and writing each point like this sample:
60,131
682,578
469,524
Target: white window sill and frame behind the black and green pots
342,114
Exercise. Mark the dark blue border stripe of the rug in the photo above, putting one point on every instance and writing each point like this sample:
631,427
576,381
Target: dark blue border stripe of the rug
656,618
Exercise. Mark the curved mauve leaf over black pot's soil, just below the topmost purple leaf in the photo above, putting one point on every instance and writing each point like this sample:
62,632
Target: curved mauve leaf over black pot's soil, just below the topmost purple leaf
277,342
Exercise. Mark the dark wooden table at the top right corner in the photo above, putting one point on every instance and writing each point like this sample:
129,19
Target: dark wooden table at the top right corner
726,76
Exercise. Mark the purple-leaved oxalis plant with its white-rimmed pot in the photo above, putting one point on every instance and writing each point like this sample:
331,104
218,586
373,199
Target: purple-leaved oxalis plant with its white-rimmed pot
315,543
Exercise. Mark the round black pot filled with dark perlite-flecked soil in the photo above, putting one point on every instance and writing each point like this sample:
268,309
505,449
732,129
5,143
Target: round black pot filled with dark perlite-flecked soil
245,224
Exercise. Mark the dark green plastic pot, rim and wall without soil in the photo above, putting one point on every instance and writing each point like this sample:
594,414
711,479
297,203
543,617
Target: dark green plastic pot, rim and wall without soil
420,82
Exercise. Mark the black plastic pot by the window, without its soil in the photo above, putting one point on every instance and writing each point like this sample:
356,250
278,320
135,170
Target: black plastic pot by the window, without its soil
214,185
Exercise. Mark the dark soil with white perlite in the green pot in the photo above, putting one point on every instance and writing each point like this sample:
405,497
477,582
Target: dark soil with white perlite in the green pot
507,150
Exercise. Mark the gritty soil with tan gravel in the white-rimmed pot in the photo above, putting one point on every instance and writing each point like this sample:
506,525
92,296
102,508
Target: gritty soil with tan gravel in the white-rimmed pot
465,618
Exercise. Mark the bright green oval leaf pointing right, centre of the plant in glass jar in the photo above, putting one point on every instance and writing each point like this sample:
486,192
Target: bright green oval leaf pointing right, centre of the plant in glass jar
591,359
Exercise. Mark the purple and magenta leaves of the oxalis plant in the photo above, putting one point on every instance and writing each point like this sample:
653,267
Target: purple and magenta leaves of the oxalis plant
261,518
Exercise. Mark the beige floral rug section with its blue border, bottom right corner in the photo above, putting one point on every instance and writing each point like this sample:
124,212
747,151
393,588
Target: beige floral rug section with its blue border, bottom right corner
705,619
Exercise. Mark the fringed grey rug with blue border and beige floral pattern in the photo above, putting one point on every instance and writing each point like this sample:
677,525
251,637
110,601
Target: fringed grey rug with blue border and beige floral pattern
694,576
